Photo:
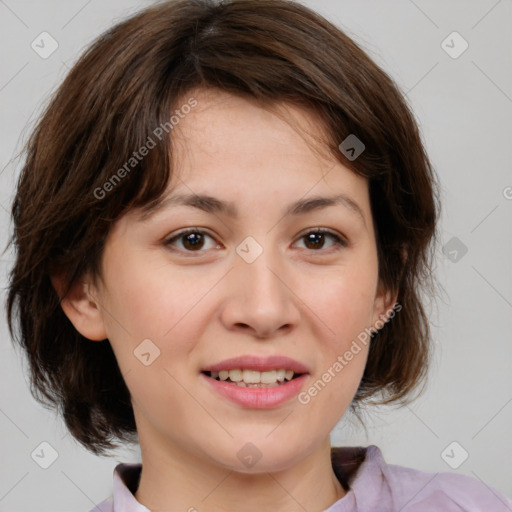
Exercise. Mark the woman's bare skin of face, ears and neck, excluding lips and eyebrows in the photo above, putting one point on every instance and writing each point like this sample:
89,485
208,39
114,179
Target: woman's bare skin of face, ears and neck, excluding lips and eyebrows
308,301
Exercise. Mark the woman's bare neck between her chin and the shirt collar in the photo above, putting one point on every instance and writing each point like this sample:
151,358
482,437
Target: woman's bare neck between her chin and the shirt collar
173,479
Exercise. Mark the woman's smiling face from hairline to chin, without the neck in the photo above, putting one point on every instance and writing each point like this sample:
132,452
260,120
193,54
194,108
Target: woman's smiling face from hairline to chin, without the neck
253,279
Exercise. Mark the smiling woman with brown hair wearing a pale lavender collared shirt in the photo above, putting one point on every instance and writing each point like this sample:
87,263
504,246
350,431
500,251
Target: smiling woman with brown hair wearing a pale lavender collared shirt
223,227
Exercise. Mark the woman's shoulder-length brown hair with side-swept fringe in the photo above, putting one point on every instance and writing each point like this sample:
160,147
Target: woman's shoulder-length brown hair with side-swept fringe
122,88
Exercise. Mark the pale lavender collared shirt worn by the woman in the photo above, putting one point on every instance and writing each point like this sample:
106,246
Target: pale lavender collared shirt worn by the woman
372,485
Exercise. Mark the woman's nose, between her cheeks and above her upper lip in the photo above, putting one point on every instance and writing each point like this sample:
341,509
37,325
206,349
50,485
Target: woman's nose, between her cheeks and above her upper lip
259,297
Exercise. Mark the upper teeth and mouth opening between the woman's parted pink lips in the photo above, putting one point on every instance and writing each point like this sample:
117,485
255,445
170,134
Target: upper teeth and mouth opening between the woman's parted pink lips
254,379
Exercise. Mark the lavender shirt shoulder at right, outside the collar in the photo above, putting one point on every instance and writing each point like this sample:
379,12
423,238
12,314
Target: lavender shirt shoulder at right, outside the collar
417,491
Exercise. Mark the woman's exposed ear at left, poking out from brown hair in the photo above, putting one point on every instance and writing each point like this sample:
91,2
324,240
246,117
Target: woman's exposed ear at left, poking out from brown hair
82,309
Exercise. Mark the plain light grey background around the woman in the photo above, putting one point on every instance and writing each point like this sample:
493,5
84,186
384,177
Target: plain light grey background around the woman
464,107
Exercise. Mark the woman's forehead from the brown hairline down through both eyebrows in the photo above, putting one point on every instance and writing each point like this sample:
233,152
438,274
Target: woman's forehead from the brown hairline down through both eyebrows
232,156
